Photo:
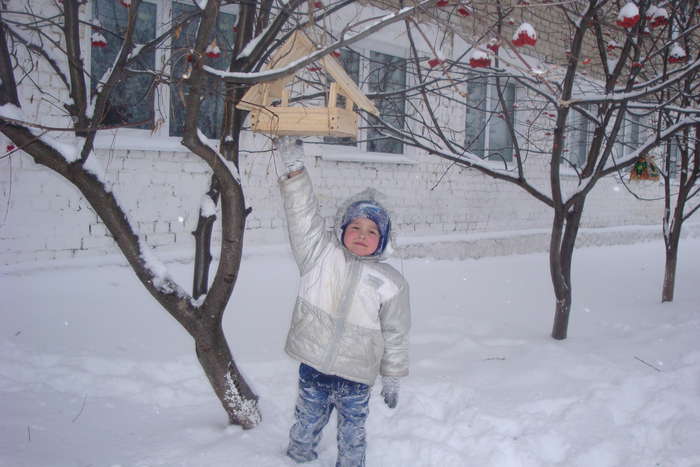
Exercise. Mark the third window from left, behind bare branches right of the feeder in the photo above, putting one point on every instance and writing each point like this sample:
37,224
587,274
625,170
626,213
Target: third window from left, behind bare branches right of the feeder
487,133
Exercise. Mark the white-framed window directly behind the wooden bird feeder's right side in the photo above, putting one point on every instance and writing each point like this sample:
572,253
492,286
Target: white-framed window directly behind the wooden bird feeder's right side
383,73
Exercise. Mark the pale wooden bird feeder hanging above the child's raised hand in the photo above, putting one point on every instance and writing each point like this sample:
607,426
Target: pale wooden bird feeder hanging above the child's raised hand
281,119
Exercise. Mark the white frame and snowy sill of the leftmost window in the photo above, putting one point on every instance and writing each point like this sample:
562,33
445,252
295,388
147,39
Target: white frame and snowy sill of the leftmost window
158,137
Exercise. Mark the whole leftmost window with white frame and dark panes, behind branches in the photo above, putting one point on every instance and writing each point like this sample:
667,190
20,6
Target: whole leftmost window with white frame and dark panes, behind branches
134,102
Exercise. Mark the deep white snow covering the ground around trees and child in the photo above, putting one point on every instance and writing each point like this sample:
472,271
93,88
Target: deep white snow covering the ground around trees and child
94,373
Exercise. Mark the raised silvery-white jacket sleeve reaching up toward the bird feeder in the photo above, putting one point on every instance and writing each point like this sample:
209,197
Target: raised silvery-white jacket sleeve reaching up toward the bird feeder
308,236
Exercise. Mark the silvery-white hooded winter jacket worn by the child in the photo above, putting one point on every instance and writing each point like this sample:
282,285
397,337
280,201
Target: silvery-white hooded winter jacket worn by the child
352,314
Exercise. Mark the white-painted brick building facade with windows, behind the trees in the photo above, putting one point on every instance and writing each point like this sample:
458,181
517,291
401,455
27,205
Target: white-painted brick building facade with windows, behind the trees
439,208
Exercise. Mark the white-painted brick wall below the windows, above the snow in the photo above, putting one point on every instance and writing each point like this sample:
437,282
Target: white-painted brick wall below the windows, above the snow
436,212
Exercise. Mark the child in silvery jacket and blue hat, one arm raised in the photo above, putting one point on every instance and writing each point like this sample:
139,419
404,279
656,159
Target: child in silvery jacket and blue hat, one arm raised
351,317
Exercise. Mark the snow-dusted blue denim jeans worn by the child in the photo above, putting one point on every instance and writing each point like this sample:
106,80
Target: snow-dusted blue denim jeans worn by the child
318,395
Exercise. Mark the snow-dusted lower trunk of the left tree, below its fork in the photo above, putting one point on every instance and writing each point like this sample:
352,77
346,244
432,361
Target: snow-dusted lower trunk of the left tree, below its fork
236,397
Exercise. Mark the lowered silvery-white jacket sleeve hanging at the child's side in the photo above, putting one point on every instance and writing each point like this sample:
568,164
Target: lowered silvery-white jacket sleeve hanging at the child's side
395,318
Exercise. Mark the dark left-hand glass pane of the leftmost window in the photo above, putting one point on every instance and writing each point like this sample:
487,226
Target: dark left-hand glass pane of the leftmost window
131,101
